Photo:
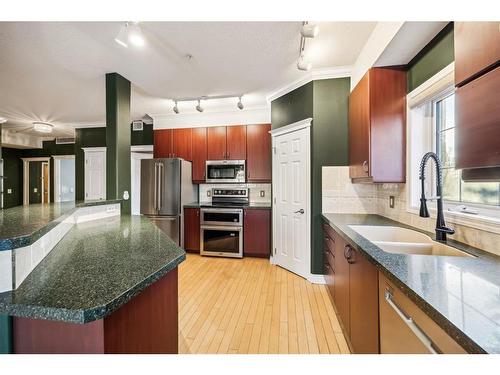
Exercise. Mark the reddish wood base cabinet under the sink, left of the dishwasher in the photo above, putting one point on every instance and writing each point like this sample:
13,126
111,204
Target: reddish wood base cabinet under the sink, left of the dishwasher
354,292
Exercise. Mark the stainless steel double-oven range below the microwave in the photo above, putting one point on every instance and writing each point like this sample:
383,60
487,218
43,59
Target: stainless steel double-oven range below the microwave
221,230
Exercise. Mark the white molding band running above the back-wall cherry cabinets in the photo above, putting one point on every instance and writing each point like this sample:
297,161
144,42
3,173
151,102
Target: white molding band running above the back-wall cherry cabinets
257,115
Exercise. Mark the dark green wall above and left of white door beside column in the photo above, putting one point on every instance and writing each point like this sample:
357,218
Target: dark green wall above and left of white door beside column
88,137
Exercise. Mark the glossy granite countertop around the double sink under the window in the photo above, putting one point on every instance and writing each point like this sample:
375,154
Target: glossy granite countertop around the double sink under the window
461,294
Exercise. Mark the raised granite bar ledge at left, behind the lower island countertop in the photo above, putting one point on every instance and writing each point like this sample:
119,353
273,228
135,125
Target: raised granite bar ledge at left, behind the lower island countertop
22,225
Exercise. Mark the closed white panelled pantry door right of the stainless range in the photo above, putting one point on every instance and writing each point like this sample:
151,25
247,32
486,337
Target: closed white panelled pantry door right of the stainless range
291,190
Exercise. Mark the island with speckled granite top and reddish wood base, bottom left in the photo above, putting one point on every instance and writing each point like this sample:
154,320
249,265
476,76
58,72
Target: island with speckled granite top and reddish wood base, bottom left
108,286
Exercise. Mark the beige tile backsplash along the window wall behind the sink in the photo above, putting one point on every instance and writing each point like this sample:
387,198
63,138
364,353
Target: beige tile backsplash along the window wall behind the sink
340,195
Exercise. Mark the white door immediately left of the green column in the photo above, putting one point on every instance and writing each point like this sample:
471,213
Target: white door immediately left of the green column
95,173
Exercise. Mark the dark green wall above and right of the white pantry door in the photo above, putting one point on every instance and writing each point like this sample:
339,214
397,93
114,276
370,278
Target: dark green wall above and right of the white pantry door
326,101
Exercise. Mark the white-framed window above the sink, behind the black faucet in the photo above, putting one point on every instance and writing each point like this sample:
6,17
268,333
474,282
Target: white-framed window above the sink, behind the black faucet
454,189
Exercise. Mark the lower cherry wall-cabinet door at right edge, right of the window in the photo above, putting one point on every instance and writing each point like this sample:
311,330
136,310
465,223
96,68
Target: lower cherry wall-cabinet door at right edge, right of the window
477,115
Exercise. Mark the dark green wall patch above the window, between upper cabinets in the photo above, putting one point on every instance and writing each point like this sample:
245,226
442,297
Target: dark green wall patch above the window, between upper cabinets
438,54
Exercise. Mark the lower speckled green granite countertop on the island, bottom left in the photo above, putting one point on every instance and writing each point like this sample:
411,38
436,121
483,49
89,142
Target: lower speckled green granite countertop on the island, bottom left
96,268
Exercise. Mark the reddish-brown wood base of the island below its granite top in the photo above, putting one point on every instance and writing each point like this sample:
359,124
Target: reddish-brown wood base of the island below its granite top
148,323
